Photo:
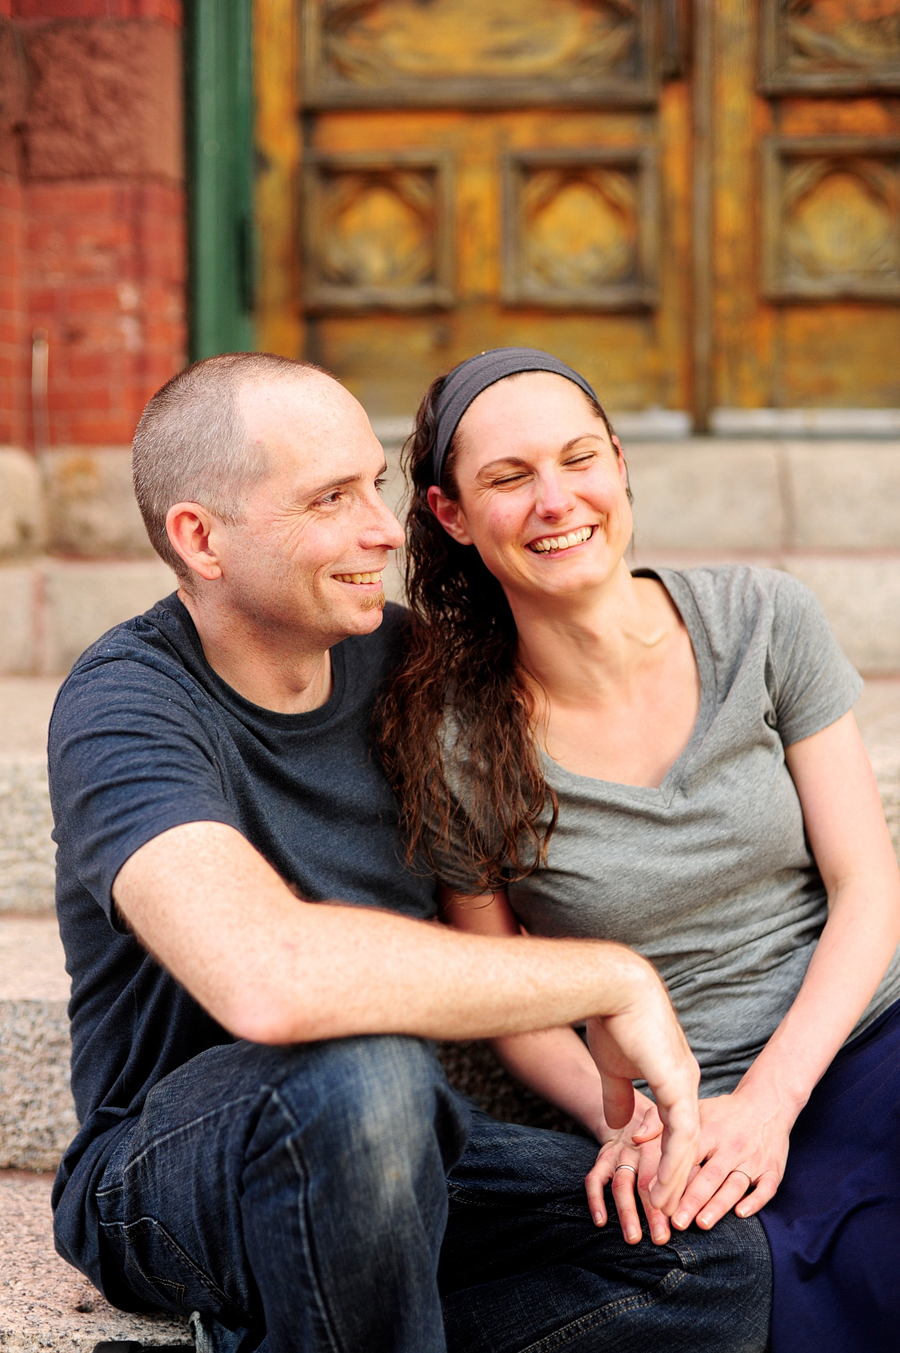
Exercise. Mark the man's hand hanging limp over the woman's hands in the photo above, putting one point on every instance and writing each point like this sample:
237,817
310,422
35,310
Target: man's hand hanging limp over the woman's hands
645,1040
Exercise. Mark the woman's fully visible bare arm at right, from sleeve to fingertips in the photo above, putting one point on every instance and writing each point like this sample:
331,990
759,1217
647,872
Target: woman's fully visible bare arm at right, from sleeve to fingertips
746,1133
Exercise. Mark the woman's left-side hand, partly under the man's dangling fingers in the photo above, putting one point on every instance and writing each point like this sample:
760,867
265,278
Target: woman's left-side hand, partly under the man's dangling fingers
631,1168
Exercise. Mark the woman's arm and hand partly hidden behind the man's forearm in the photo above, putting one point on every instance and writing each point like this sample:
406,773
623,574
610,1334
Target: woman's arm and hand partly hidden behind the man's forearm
557,1065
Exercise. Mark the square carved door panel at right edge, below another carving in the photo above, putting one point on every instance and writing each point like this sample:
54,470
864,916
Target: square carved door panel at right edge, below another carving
832,223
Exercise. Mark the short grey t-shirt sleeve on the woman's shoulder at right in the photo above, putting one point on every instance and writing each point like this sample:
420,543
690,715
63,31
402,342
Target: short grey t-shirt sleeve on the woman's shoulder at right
813,684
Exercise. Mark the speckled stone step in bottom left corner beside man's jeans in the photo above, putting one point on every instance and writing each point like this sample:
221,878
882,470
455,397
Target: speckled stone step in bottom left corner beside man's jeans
44,1304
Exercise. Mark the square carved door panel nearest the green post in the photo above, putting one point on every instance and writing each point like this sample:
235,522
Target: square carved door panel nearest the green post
378,232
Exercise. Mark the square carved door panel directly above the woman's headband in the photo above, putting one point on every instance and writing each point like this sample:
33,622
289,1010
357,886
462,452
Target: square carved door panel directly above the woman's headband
581,229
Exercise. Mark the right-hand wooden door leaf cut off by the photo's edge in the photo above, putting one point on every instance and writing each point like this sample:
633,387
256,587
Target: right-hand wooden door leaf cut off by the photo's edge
807,205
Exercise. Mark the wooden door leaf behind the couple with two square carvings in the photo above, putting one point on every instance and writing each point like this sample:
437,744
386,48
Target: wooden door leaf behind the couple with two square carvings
485,173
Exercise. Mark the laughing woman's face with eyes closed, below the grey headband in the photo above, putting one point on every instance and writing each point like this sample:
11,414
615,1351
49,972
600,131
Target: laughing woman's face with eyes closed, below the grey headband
542,489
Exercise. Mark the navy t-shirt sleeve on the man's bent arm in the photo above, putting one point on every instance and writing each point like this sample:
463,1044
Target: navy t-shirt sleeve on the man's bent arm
129,758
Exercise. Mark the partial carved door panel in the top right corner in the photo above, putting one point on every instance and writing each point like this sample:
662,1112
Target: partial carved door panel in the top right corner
822,47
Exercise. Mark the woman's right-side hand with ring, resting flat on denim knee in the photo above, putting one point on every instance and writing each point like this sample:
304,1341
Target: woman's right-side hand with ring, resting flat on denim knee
745,1143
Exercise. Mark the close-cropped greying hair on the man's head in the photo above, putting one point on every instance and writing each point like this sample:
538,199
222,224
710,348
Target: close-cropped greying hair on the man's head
193,443
